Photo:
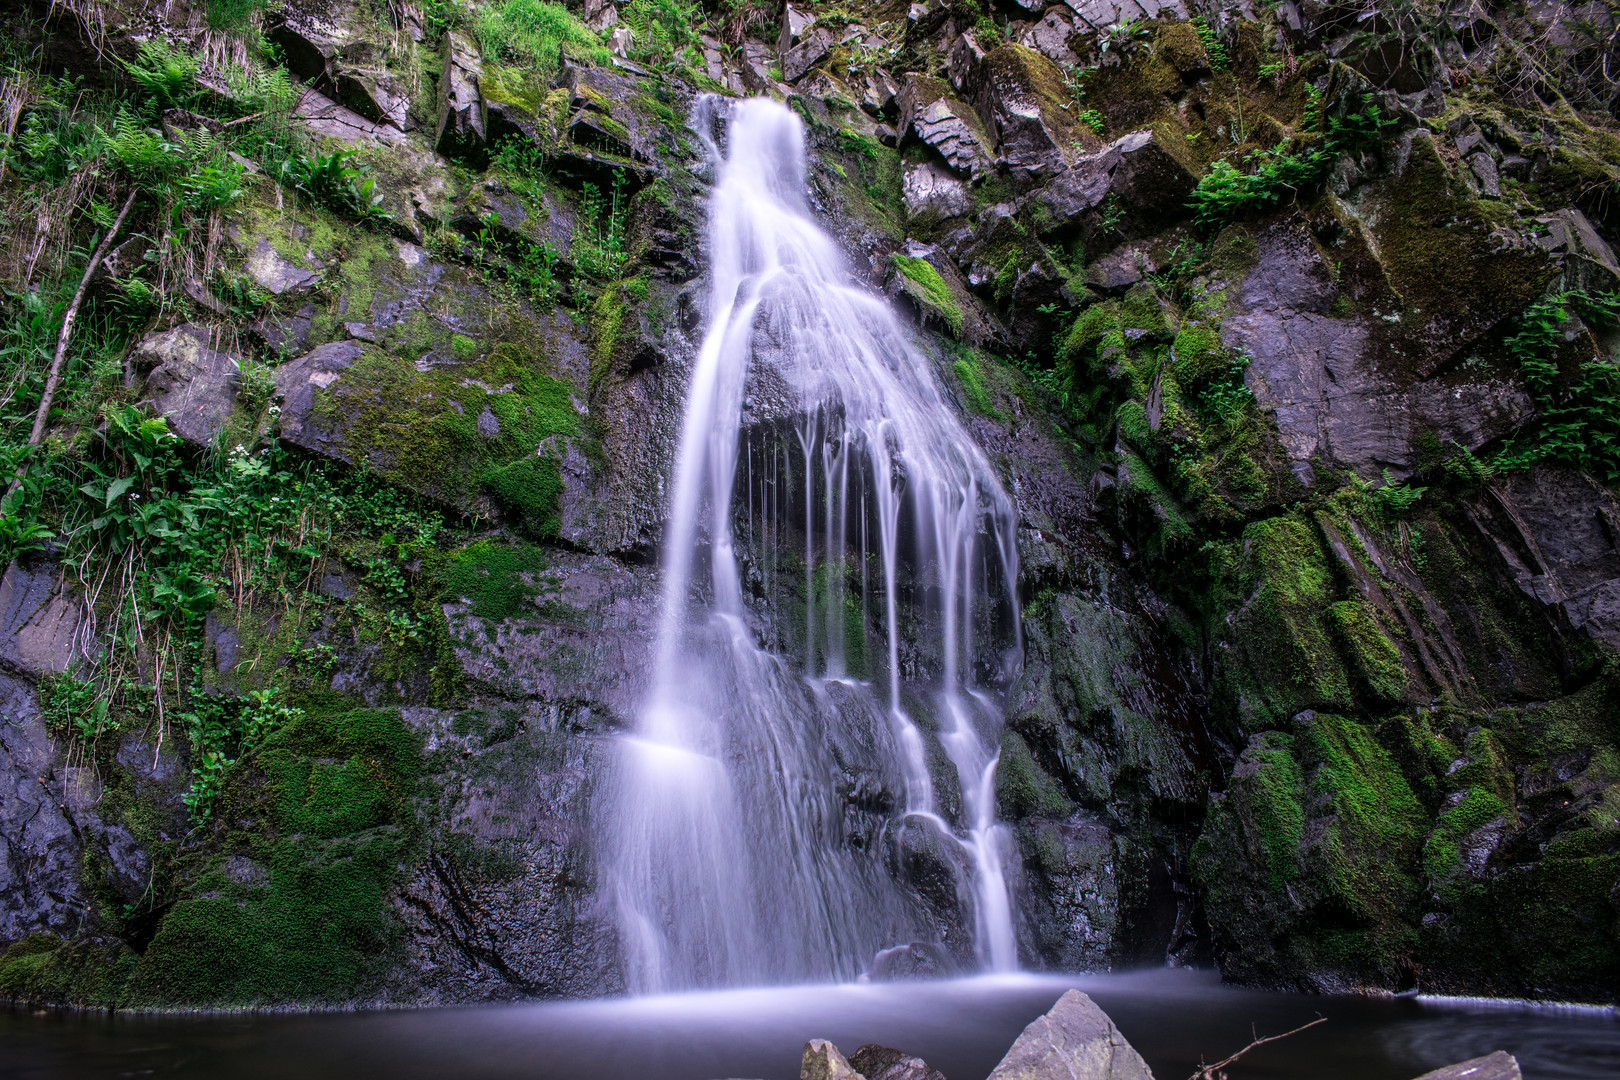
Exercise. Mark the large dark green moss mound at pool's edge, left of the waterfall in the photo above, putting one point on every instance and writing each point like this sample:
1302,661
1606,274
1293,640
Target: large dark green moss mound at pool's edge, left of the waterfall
328,806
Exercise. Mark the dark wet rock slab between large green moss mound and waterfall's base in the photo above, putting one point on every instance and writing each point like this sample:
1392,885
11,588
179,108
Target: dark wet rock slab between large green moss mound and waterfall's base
503,908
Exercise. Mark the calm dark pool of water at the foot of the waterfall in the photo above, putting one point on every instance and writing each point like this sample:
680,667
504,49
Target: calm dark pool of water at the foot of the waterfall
961,1027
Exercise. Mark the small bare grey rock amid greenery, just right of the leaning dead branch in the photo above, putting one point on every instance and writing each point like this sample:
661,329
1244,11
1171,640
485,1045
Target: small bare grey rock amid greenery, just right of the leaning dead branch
192,383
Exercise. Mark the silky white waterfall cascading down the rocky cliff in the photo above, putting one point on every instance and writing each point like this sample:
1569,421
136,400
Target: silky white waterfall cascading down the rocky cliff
731,857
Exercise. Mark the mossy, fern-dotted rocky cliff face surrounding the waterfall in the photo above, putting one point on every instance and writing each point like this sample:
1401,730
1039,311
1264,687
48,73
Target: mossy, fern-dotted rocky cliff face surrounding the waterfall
1289,331
